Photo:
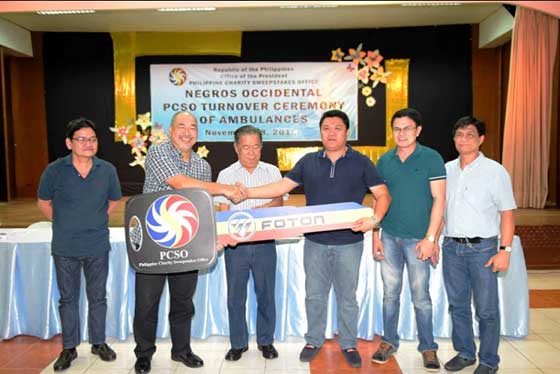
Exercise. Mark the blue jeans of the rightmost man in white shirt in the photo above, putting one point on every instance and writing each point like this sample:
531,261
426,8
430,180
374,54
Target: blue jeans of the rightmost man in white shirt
466,277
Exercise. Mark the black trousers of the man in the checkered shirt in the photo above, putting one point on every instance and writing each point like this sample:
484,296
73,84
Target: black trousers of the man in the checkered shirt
148,292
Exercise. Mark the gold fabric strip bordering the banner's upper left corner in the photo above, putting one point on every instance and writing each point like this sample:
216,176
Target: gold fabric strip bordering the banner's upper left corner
128,45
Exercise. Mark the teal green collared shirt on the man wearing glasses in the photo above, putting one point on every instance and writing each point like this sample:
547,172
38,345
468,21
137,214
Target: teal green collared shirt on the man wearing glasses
409,185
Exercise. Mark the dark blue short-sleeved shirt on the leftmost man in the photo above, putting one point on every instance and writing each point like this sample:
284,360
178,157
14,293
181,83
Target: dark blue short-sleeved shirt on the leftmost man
80,222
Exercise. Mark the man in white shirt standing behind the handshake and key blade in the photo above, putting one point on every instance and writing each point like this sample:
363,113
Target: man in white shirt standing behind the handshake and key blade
258,258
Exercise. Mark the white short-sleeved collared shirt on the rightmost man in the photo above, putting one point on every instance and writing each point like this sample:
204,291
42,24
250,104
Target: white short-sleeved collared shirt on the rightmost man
475,197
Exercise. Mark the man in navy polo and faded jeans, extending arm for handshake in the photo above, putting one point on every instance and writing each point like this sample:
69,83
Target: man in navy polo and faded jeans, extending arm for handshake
333,175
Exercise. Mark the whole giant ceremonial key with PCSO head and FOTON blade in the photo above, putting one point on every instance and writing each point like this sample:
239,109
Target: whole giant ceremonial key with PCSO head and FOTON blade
175,231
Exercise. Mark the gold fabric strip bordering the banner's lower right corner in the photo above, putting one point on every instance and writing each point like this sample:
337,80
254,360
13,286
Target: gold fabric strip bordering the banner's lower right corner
396,92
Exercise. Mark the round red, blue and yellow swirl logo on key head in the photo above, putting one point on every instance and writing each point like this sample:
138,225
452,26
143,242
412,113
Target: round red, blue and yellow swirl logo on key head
172,221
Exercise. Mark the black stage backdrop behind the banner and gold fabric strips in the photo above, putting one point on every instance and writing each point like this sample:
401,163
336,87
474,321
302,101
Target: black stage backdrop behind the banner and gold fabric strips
440,83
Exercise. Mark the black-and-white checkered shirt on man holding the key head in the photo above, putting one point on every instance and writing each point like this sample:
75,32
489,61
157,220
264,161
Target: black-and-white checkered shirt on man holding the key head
164,161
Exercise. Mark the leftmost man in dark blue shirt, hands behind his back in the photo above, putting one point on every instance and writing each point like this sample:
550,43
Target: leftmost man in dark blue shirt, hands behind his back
78,192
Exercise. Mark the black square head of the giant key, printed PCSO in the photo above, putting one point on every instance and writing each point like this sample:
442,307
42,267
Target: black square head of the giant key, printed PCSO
170,231
